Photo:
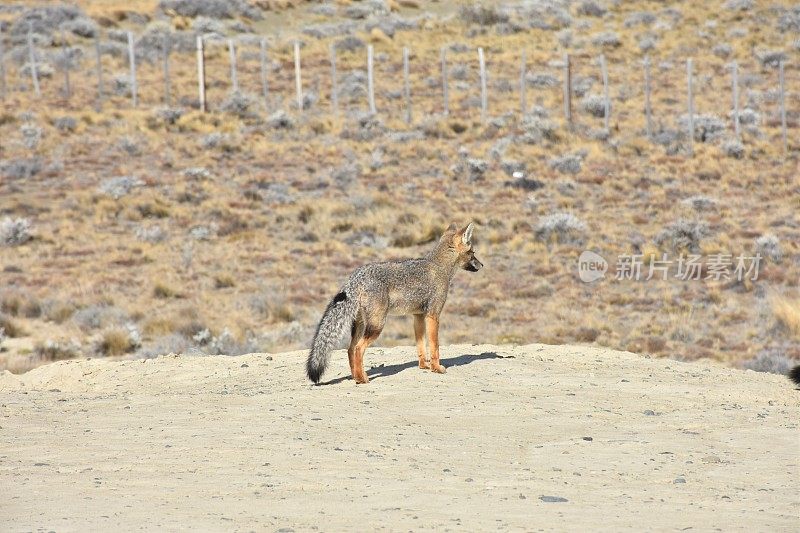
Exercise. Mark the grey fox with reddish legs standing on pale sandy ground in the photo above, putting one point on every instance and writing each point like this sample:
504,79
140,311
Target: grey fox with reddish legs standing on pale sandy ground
416,287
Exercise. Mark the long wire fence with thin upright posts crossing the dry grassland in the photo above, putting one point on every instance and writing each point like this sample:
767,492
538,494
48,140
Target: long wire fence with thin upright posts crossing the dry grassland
646,97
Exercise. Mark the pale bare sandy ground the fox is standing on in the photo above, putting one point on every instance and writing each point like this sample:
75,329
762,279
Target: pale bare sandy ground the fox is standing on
618,440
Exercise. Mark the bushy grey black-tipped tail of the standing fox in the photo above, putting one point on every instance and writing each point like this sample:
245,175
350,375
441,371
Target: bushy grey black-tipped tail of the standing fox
336,321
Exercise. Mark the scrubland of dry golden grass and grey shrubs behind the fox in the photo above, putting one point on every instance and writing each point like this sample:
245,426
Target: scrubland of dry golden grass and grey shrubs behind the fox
133,232
